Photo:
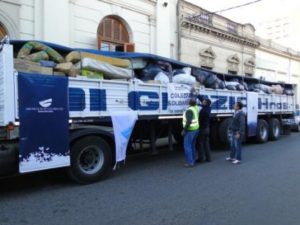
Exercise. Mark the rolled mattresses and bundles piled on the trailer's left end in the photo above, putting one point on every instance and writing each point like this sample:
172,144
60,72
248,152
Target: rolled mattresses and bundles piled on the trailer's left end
36,57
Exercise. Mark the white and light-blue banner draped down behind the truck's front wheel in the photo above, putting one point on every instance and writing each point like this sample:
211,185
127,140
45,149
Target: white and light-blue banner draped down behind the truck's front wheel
123,124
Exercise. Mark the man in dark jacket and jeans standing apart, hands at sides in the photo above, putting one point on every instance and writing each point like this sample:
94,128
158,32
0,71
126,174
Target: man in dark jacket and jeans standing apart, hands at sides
237,129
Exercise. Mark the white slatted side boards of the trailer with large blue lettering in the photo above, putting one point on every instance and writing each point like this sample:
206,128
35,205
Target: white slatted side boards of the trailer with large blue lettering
93,98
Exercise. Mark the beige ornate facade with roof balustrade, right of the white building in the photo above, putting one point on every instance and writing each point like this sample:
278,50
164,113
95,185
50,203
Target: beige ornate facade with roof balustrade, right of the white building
215,42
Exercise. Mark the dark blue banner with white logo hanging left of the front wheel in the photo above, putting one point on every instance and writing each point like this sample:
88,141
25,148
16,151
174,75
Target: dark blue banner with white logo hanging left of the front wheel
44,122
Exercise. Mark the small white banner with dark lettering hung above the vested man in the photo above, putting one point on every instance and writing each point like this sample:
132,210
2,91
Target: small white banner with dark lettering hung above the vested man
178,97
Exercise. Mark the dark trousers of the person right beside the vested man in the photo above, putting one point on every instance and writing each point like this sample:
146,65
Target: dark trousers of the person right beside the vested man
203,145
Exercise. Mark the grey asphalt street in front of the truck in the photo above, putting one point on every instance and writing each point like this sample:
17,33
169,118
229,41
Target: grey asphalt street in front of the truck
264,189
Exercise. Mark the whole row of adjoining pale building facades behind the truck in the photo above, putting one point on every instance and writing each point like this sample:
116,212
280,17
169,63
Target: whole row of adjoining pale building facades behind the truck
171,28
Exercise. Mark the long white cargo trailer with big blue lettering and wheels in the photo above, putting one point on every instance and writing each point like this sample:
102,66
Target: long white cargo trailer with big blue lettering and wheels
49,122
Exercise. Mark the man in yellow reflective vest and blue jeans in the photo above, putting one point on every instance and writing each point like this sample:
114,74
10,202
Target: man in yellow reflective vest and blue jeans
190,124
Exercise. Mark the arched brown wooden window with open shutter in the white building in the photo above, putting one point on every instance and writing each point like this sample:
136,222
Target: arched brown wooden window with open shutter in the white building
113,35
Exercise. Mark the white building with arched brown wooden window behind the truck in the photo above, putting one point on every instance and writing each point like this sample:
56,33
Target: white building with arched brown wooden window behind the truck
140,25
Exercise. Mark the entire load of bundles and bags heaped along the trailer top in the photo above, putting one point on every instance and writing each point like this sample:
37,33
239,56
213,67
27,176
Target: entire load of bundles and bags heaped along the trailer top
39,58
